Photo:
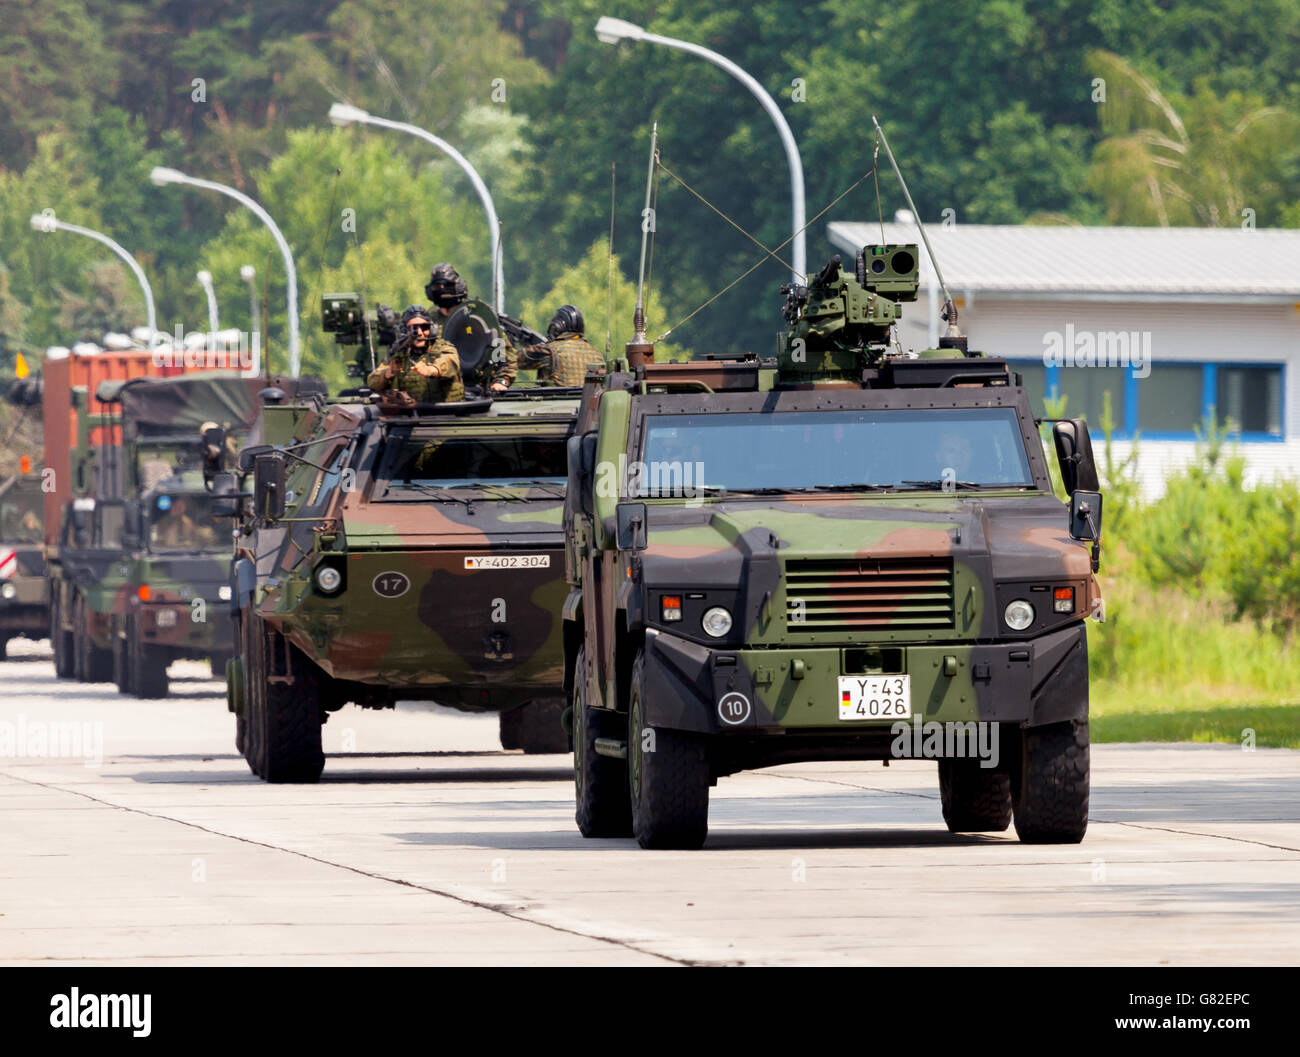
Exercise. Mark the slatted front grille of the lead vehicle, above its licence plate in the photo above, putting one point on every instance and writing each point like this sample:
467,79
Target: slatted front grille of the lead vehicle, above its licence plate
869,595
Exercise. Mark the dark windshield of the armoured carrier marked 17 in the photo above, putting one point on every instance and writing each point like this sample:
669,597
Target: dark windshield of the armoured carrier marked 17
439,462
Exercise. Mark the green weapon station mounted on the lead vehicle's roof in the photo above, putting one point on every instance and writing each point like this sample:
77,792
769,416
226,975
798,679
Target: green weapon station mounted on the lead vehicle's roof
839,324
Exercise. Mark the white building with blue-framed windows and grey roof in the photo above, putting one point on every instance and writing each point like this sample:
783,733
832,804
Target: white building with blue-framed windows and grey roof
1172,322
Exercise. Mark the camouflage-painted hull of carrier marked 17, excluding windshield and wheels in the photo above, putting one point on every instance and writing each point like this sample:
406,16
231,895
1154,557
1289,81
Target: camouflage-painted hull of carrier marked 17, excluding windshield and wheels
411,618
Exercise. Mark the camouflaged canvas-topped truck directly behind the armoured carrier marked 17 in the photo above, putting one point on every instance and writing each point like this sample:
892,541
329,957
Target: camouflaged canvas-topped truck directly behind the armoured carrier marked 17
142,573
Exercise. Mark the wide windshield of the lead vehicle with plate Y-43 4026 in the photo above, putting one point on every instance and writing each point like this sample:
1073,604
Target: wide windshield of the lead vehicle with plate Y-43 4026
835,450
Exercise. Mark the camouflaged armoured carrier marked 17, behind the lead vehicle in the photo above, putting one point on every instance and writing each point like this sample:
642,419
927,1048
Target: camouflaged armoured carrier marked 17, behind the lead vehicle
401,551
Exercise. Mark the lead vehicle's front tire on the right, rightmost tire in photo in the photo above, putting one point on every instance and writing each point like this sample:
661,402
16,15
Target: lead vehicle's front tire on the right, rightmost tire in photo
1050,786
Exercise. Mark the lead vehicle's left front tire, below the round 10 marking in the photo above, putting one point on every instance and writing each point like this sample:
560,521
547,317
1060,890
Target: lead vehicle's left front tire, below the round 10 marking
668,778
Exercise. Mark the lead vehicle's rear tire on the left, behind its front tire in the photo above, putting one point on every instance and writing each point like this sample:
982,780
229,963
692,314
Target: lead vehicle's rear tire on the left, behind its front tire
600,783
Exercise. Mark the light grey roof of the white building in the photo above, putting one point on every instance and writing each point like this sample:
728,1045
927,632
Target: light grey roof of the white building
1120,263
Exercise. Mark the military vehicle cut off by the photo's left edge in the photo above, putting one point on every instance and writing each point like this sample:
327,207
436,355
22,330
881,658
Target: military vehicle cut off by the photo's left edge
24,594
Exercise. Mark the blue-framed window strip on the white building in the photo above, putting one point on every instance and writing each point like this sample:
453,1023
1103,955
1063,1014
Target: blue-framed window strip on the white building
1251,393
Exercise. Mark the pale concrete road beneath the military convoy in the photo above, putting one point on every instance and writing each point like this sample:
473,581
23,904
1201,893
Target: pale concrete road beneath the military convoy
428,844
